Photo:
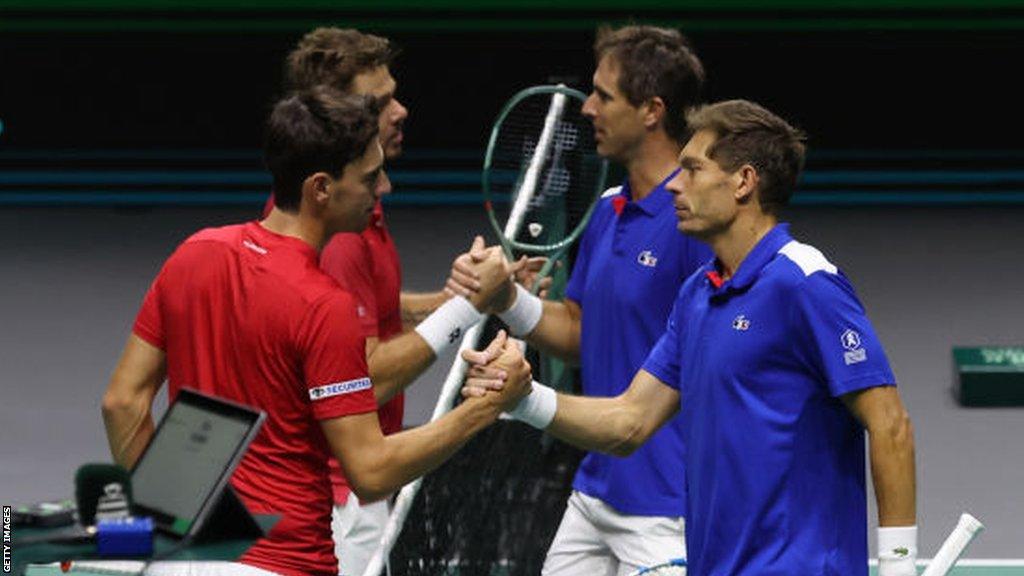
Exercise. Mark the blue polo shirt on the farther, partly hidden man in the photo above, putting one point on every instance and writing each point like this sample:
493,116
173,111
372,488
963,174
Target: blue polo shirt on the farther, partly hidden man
631,263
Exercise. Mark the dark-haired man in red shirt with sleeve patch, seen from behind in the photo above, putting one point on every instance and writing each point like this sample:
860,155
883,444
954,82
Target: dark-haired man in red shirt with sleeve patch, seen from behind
244,313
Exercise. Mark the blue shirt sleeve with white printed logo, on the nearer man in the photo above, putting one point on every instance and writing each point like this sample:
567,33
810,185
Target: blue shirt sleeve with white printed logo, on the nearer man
839,341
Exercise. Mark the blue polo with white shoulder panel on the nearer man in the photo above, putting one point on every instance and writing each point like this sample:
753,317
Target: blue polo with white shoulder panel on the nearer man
776,462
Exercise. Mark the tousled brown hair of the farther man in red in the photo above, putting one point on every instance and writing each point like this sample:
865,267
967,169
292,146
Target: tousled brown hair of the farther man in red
334,57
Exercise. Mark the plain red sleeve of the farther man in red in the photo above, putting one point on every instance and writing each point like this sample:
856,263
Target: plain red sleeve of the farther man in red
347,259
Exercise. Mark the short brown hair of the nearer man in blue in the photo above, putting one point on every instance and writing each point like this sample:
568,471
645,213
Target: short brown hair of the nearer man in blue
748,134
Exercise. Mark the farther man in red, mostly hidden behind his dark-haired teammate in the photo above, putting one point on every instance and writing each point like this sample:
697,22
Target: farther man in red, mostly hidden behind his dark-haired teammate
366,264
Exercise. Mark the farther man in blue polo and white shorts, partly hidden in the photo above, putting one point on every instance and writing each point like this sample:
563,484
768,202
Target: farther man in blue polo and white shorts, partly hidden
625,513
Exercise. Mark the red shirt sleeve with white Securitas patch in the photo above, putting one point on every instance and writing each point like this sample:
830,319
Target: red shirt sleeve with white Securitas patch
335,359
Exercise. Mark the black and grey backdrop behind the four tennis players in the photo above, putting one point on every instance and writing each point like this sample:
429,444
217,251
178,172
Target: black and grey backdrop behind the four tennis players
926,89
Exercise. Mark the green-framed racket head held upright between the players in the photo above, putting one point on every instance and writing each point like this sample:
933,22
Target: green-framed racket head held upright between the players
542,154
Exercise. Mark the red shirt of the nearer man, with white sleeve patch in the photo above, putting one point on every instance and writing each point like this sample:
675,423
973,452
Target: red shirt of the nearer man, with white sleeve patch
247,315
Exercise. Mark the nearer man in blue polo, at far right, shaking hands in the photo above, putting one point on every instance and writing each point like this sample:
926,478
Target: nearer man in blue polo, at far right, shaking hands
777,371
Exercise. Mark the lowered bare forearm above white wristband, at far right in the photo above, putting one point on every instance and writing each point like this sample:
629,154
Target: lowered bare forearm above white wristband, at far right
893,473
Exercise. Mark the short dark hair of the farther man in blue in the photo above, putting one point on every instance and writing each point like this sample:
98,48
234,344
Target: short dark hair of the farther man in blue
655,62
